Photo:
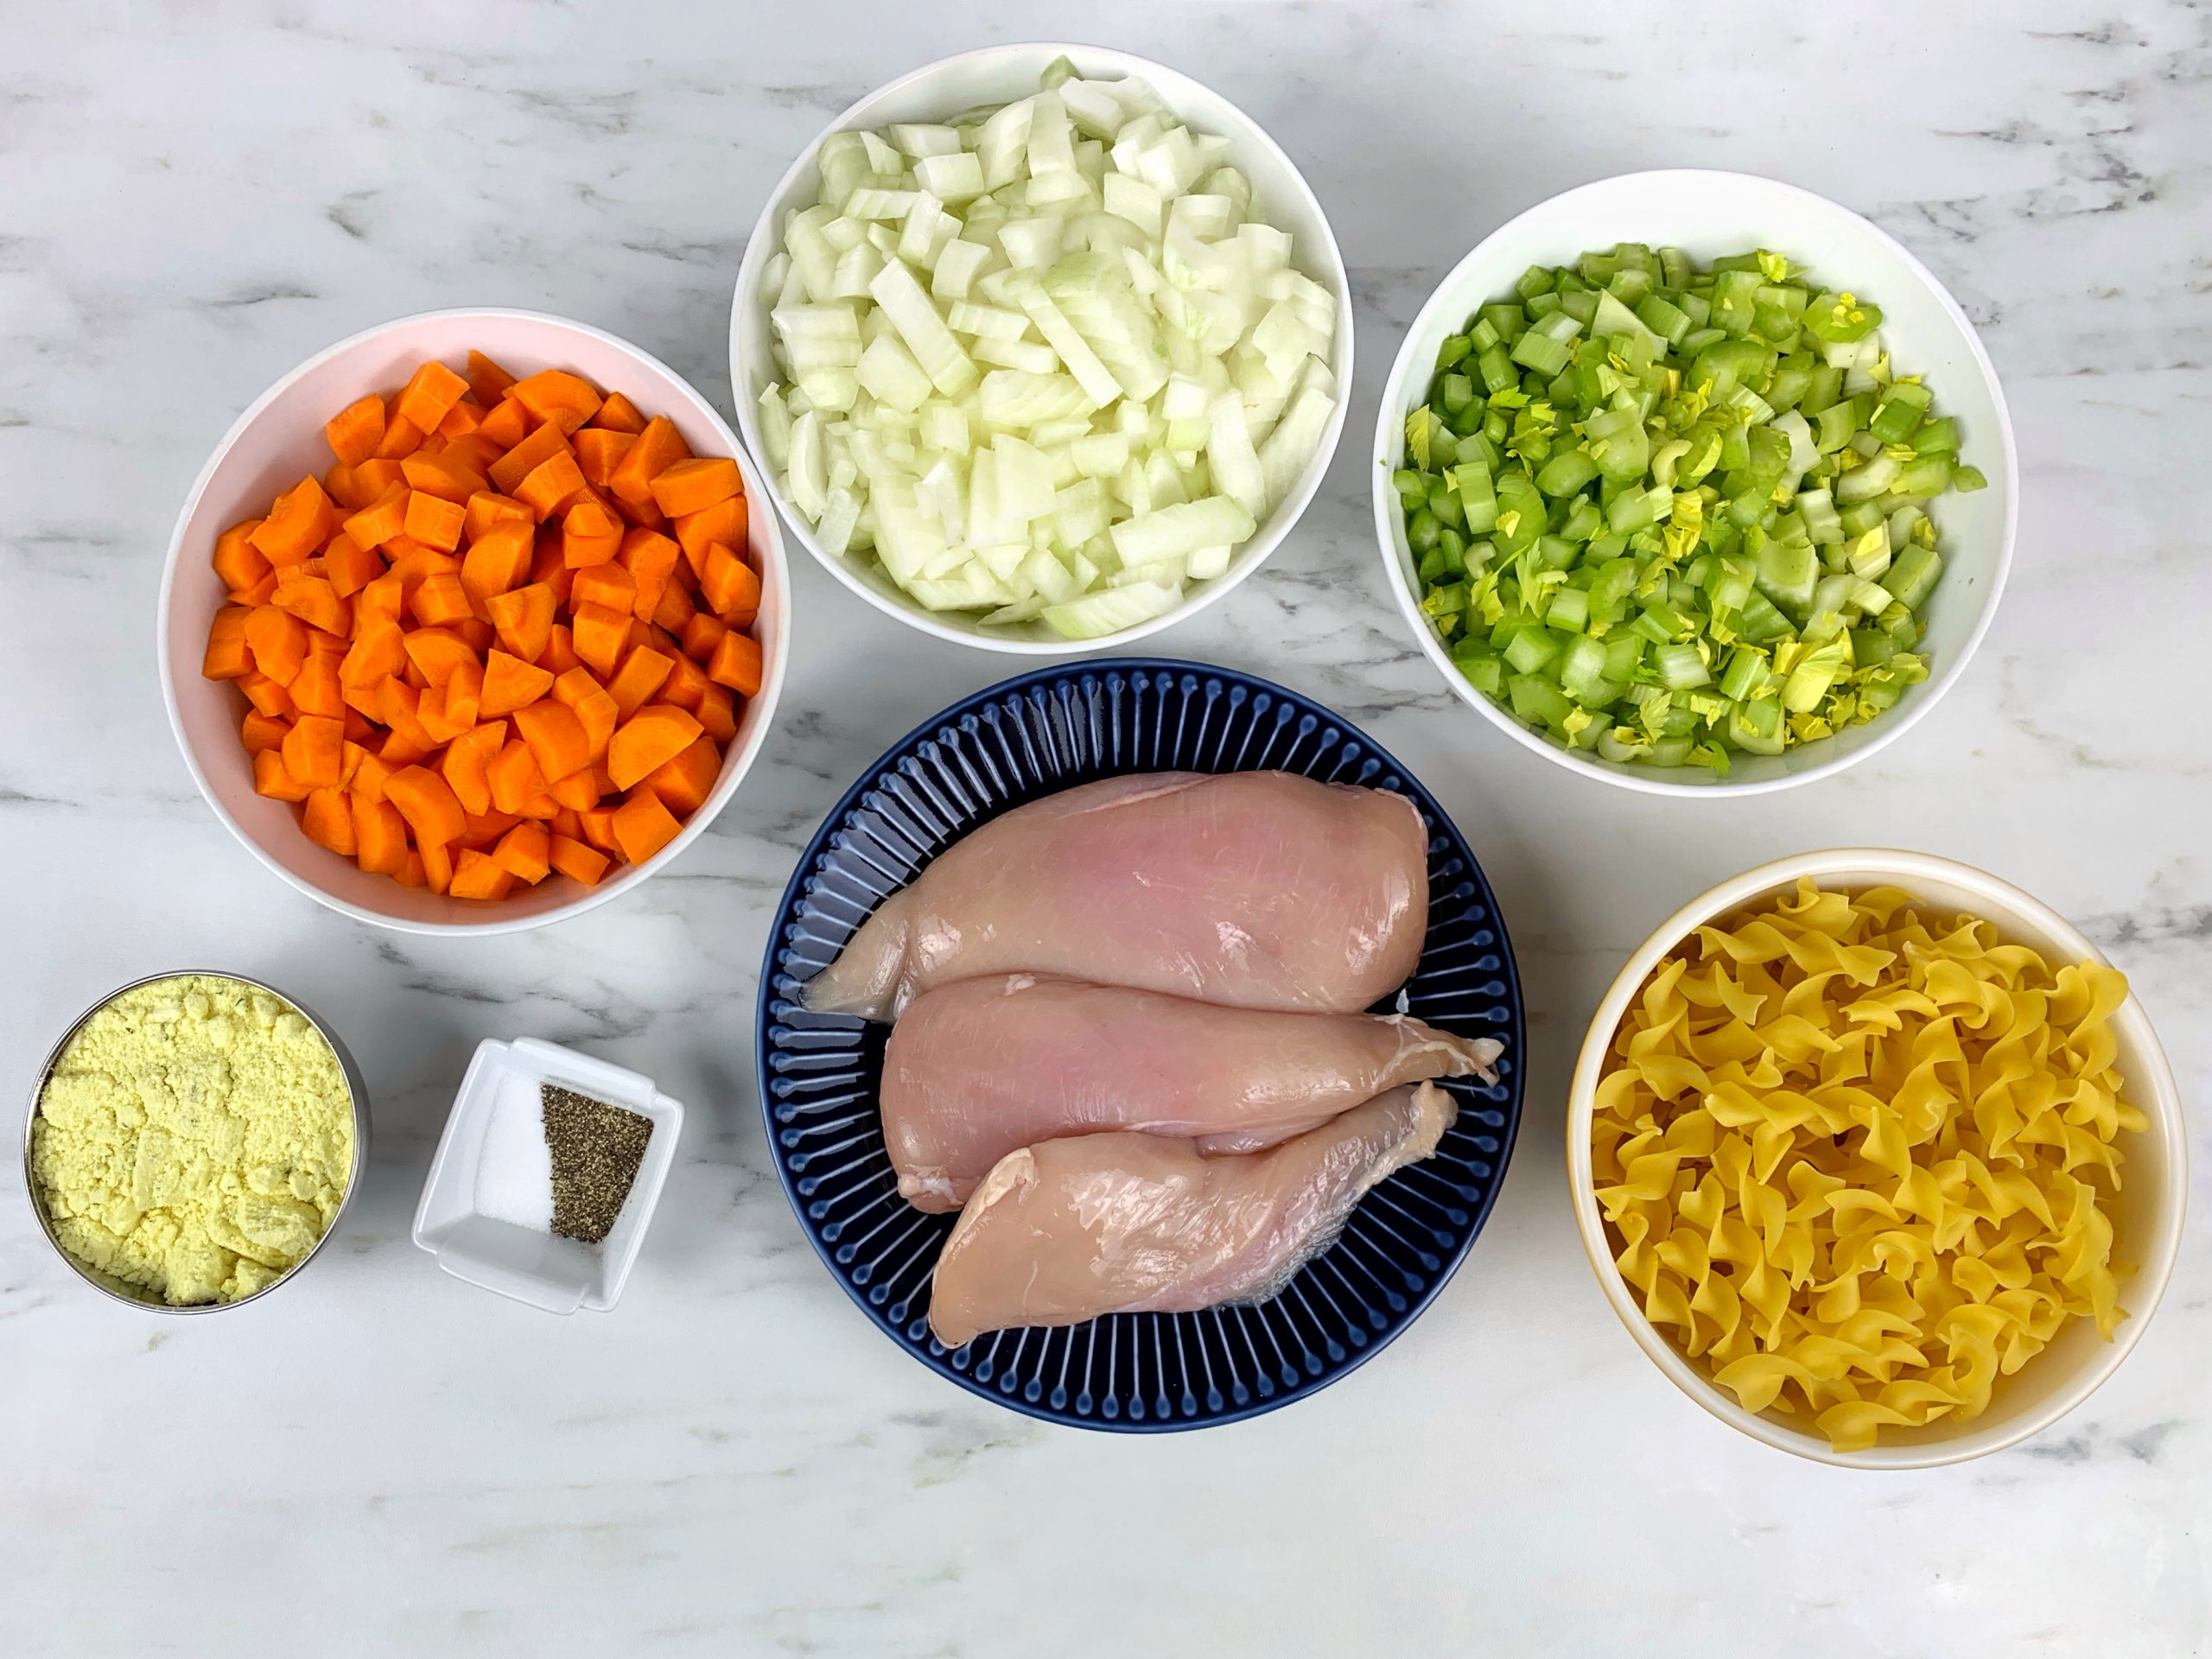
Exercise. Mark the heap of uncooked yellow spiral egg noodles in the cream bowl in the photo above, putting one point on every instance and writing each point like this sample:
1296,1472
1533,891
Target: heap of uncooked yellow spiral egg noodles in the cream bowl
1857,1165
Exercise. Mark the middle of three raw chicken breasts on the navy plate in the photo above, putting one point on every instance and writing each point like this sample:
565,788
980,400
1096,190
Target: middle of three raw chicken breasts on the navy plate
985,1067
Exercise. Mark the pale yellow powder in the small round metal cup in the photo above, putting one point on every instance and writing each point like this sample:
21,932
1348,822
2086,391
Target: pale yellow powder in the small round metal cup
196,1140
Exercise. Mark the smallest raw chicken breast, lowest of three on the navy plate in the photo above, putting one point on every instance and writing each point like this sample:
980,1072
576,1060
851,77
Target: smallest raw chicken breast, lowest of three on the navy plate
1109,1224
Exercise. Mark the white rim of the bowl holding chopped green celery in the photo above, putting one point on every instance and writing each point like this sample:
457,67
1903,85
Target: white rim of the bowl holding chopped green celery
1884,731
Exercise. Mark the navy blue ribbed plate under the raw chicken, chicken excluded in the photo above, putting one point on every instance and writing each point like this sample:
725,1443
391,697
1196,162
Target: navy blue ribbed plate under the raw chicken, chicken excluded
1030,738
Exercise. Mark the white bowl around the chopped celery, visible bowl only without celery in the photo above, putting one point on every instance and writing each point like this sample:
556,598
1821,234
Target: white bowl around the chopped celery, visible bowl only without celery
1711,216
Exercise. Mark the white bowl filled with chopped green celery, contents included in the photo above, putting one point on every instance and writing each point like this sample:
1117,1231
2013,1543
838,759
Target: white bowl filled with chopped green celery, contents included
1638,565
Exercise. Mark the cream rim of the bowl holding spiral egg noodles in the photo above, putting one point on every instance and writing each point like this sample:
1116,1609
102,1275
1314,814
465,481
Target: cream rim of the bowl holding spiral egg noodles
1999,904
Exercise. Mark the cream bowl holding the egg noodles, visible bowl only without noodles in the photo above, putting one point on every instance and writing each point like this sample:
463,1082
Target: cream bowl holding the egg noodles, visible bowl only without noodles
2147,1218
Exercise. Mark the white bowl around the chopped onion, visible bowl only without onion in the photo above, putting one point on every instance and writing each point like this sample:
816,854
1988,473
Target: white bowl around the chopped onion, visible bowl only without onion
1001,76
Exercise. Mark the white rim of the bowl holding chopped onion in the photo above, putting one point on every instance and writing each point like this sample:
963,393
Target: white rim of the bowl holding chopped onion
764,242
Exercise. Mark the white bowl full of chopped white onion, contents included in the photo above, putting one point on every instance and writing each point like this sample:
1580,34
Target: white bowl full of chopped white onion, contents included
1047,382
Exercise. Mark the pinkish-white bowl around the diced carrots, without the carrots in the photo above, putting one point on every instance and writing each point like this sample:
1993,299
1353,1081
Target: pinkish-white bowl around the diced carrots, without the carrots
271,448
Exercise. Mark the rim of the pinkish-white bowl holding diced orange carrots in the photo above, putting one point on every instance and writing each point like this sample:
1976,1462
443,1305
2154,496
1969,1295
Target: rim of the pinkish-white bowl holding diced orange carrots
592,897
